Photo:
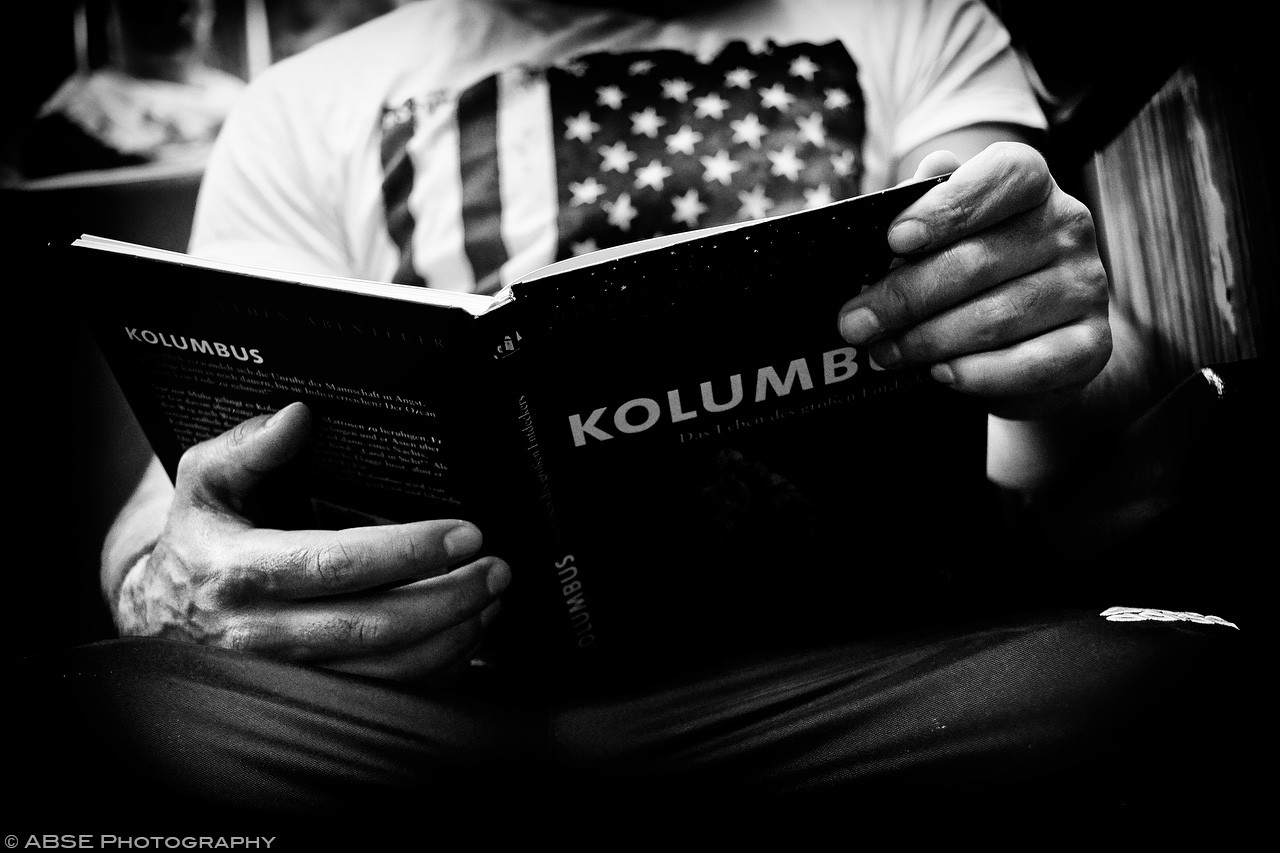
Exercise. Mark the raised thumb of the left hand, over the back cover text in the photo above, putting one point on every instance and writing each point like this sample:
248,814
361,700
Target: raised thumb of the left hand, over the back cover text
225,471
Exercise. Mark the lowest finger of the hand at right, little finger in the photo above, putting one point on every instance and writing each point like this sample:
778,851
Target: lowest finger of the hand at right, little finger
1060,361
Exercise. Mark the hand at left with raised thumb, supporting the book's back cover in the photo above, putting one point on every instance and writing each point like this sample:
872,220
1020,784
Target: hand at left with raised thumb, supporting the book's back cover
385,601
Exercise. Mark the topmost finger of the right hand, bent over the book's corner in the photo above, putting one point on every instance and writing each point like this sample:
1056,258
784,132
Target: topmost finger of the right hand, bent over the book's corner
1000,181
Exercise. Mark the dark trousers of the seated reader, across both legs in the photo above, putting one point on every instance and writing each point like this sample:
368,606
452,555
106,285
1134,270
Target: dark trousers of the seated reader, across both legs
1062,715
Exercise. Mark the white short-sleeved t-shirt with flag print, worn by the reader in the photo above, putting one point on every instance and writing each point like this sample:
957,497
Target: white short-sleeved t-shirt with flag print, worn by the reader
459,144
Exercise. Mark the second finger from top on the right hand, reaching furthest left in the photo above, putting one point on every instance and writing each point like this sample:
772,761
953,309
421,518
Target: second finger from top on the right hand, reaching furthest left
916,291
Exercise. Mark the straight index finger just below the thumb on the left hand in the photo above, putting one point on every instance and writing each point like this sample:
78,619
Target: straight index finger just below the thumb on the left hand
308,564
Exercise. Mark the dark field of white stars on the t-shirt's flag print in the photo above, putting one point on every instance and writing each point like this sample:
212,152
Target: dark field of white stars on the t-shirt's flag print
653,143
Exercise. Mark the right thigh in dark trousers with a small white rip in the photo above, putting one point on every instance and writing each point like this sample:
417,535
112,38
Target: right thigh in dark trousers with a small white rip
1055,713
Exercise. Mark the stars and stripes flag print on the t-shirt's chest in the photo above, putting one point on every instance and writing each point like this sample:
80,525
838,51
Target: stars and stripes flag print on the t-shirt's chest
642,144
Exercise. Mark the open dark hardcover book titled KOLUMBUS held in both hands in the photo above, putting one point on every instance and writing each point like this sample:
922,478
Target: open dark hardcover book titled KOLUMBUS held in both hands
669,441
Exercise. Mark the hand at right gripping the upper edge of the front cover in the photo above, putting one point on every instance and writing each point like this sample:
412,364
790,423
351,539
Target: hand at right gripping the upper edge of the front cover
1003,291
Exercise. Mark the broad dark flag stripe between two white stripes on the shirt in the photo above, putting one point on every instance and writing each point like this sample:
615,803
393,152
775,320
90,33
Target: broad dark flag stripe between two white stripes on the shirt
482,197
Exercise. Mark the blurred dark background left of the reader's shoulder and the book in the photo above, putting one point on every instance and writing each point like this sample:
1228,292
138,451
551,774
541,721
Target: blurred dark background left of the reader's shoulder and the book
111,110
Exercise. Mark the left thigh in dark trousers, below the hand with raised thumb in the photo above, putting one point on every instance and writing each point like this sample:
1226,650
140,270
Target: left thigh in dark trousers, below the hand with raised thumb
179,729
